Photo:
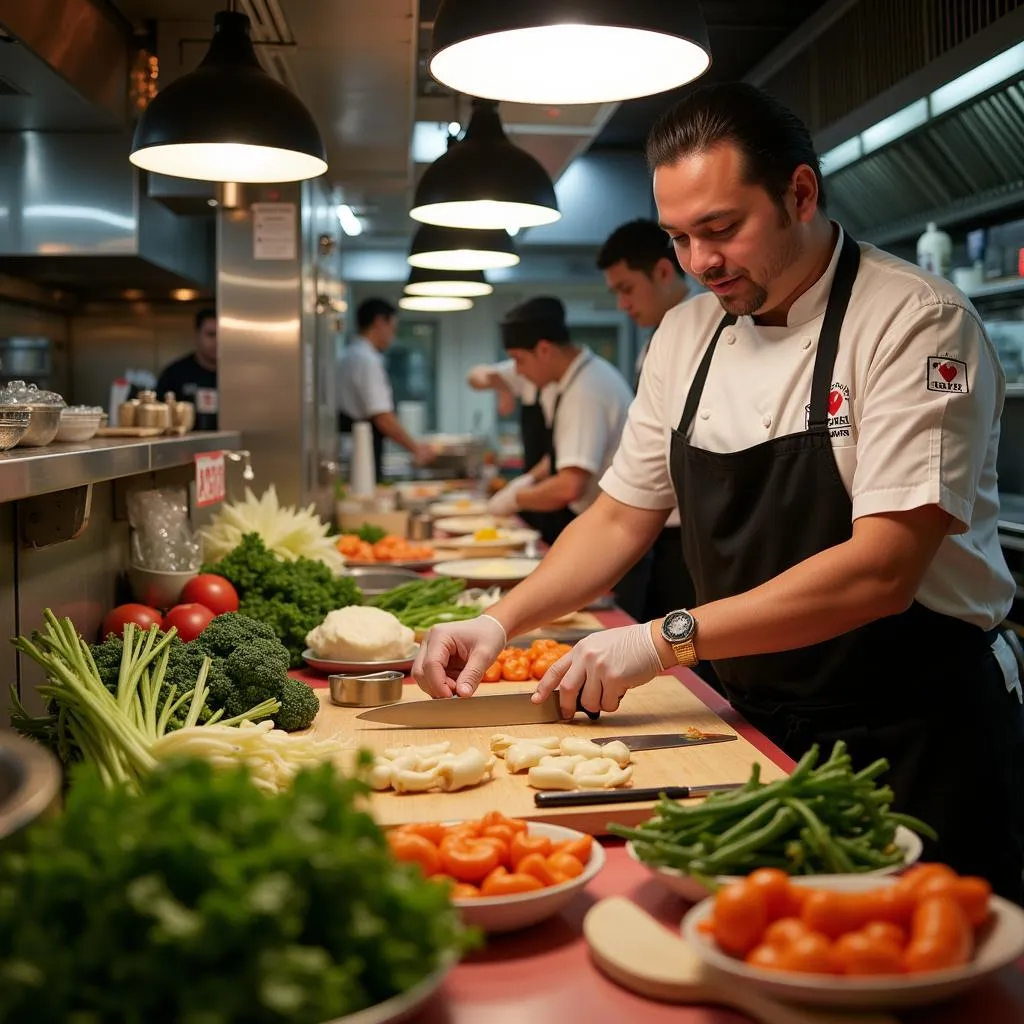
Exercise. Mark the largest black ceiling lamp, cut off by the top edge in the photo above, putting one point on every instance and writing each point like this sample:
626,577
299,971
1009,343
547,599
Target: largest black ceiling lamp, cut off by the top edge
569,52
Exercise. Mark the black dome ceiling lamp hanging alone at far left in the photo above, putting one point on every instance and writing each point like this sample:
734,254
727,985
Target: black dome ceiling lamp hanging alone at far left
229,120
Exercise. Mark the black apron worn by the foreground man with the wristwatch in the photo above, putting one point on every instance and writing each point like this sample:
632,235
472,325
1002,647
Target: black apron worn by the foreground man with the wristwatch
921,689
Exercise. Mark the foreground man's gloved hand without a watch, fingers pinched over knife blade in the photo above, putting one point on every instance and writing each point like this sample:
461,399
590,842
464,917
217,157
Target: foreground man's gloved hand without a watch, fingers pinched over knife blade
454,657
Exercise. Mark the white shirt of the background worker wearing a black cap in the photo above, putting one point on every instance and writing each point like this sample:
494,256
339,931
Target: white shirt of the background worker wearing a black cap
594,401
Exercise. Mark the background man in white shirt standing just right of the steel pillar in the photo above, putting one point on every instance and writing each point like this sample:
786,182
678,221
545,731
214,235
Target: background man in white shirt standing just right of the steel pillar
364,392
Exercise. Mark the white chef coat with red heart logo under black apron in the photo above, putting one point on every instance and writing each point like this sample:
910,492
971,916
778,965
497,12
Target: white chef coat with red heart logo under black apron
917,395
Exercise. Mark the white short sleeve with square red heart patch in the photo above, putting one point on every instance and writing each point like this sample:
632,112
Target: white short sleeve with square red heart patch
931,403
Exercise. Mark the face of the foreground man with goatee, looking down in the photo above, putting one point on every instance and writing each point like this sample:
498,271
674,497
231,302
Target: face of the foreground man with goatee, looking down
733,236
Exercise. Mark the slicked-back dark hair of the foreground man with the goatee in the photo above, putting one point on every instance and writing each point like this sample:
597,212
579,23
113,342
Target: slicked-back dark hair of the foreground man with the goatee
774,141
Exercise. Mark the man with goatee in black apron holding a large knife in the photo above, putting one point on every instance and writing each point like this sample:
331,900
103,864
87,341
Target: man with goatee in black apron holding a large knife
828,420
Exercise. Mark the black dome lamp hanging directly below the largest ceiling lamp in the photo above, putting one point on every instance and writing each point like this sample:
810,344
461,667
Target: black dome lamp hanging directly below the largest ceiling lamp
486,182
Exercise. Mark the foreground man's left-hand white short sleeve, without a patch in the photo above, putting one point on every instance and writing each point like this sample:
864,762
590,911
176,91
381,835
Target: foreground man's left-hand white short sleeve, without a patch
639,474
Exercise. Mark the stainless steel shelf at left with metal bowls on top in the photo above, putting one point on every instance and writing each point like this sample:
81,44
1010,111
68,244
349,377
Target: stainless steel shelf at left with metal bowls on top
28,473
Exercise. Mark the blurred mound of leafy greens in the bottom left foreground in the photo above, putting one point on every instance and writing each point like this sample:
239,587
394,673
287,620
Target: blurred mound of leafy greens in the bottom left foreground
203,902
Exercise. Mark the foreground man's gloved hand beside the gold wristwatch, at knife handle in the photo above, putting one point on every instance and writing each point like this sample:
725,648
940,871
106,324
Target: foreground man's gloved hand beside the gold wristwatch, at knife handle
603,667
